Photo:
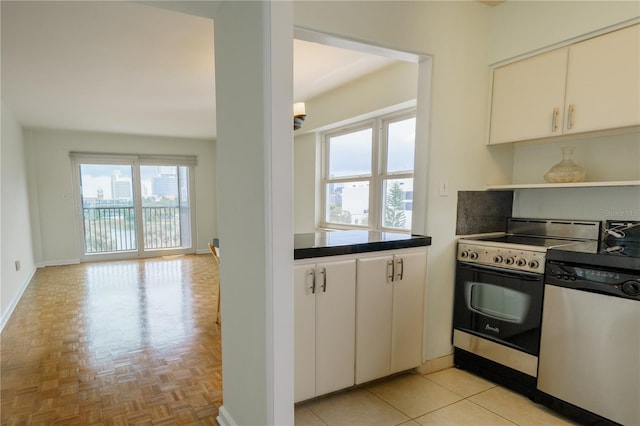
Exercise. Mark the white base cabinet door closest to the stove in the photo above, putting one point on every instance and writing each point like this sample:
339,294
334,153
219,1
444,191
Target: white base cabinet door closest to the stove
408,310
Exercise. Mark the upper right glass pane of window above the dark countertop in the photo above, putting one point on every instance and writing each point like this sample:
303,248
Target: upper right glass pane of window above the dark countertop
401,136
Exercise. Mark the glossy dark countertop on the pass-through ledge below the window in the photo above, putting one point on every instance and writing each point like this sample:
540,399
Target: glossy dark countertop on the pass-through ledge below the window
334,243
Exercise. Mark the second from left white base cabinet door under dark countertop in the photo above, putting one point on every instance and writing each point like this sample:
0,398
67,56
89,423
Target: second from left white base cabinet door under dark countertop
335,325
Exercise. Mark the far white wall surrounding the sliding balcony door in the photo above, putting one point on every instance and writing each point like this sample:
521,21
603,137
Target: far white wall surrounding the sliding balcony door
53,212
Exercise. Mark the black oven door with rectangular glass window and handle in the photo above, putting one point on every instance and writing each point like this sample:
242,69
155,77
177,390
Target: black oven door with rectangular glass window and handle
499,305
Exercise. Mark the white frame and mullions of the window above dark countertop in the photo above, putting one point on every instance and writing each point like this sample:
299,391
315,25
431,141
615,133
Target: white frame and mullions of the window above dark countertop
379,162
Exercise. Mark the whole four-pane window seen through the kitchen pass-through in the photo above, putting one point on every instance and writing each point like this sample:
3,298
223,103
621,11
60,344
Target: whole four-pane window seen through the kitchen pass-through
368,174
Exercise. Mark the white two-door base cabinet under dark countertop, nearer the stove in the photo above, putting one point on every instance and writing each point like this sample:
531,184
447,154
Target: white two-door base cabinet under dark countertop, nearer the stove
389,313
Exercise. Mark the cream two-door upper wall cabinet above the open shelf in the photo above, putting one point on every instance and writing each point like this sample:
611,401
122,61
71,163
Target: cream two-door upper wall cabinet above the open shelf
588,86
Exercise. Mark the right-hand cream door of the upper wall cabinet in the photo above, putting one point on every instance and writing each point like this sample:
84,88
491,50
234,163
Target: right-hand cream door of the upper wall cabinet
603,82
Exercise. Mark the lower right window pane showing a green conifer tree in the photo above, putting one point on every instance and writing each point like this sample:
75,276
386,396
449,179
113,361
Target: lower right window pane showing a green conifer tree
397,203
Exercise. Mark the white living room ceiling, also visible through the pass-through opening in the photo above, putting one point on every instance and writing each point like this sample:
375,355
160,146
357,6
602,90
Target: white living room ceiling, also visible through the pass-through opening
131,68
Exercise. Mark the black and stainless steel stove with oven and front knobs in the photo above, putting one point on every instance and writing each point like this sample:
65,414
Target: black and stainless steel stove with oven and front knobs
498,297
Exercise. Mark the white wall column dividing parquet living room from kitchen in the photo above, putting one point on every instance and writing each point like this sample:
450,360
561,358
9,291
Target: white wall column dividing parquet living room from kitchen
253,49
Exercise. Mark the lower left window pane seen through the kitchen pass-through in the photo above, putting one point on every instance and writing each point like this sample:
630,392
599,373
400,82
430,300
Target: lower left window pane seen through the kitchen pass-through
347,203
